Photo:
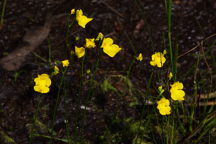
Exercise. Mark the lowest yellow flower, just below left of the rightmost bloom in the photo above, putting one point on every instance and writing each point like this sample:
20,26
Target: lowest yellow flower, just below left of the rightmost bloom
164,106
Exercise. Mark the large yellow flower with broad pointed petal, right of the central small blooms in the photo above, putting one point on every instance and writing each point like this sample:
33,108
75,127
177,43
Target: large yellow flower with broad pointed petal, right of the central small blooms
109,48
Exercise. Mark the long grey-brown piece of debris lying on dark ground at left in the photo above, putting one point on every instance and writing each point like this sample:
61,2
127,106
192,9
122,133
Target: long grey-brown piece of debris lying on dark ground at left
32,40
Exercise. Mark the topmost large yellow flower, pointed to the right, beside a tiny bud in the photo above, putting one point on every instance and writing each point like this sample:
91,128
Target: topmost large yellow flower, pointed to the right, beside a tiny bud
82,19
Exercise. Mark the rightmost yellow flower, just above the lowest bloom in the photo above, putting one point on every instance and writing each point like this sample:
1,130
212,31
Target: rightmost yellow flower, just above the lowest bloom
176,91
